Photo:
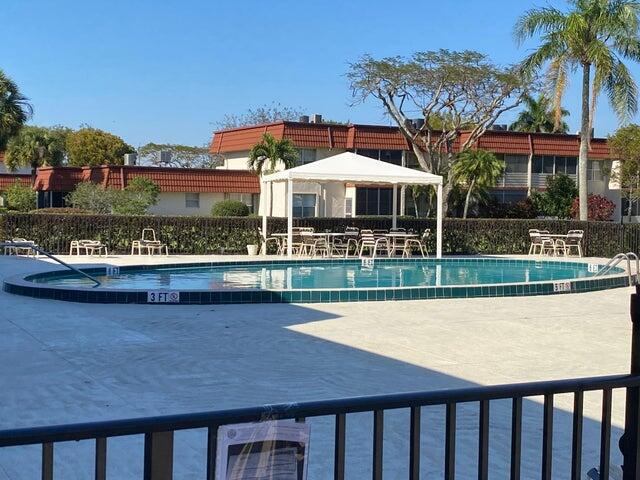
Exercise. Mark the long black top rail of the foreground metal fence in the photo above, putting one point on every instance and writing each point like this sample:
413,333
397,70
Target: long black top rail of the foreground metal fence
136,426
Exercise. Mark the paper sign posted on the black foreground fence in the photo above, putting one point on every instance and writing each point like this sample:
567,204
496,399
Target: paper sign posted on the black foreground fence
274,450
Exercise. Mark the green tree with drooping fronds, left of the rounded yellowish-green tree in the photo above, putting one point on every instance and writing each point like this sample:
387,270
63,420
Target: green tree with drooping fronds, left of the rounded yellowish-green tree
36,147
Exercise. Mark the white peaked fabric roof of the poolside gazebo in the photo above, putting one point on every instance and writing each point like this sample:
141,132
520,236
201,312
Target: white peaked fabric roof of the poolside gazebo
350,167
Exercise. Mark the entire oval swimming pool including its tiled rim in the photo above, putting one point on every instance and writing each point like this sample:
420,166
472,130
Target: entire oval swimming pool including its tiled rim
333,280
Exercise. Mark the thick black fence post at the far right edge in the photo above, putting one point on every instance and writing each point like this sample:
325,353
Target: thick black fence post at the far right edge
630,441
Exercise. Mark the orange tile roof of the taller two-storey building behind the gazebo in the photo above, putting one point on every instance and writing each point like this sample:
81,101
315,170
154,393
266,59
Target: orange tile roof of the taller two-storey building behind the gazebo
321,135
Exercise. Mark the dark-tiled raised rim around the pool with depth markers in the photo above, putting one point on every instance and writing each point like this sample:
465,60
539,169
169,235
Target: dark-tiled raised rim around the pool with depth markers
21,285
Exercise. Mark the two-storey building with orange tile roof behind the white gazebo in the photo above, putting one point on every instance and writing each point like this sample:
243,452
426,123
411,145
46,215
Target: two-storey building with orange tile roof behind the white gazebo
530,159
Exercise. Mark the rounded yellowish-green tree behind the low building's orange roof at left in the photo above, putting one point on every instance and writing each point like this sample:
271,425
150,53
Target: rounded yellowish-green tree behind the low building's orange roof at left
92,147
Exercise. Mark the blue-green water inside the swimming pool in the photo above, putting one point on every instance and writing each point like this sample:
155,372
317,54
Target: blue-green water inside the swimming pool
350,274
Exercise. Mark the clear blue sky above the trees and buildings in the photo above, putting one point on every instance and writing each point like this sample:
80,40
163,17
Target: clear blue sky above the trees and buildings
166,71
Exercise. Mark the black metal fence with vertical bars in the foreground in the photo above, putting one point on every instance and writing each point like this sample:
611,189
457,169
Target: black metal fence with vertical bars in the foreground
159,431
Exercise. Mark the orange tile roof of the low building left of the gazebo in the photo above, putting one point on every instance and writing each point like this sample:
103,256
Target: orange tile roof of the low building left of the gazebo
168,179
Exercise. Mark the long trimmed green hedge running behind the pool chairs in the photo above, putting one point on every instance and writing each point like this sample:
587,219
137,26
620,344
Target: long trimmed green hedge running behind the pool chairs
204,235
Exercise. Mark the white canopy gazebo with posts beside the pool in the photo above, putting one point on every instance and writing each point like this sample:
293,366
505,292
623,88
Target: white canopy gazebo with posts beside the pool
351,168
